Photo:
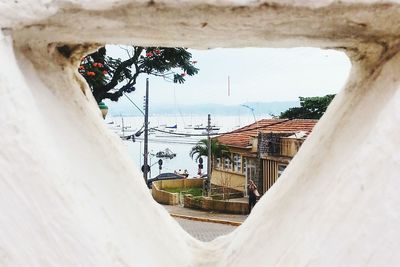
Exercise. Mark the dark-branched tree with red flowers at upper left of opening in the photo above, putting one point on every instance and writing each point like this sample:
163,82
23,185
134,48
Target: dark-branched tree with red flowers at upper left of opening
111,77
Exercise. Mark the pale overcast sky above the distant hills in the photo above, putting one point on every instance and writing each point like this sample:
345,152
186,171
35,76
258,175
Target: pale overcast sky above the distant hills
256,75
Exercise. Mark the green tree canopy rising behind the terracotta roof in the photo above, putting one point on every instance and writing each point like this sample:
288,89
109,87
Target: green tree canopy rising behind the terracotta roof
310,108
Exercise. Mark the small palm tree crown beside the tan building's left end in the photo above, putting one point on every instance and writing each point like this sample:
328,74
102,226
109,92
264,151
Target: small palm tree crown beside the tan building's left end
218,150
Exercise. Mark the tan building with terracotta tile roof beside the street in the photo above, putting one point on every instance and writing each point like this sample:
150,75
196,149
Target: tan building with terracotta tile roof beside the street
260,151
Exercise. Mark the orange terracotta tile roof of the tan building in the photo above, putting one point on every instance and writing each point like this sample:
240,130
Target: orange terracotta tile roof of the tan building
241,137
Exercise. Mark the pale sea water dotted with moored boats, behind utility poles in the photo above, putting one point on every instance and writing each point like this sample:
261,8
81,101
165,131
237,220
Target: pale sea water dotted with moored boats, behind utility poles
181,145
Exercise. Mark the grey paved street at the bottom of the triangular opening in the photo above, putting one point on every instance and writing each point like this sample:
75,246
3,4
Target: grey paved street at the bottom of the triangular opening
205,231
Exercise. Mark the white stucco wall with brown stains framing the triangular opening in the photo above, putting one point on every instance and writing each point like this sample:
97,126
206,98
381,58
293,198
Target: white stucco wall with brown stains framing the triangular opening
69,196
